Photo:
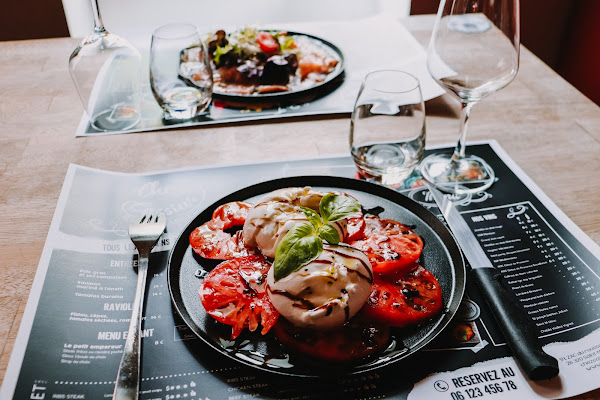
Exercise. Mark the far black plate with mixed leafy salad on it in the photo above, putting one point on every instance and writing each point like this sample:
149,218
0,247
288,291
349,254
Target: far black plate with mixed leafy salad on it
251,64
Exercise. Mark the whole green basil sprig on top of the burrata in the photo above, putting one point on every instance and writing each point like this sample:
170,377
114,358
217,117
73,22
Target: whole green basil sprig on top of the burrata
304,242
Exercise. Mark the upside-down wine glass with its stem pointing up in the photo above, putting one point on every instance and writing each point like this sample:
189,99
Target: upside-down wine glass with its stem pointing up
106,71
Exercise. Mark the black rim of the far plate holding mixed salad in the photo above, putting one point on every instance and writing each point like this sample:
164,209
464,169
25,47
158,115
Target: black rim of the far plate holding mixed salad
331,77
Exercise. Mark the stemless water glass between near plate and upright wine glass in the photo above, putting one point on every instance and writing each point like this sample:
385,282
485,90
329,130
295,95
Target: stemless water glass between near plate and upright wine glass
387,129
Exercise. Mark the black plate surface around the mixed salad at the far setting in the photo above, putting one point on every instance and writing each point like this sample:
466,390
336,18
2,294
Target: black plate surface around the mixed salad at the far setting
332,81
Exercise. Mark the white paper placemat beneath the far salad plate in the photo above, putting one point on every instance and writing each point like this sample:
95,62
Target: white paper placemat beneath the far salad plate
362,45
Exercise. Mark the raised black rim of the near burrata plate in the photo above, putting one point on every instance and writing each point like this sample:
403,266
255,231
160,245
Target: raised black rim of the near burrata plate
455,255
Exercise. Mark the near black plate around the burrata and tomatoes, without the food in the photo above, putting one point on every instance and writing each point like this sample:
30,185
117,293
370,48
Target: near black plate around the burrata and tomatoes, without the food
441,255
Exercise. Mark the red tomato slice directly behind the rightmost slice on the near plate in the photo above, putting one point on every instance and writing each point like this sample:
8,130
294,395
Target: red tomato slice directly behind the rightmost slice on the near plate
390,253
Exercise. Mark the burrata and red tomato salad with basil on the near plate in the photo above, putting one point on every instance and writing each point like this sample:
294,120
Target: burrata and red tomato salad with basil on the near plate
328,279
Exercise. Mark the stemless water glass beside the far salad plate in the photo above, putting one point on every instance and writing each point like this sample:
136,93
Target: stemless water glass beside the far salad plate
180,73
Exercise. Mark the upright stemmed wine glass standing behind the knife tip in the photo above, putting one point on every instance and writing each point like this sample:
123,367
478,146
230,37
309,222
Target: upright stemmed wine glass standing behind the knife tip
474,51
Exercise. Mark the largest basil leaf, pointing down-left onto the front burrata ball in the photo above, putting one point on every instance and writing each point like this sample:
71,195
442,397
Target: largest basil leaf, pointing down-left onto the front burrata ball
297,248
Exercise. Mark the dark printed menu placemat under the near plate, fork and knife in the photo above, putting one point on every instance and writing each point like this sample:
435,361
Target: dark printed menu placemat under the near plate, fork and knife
71,339
